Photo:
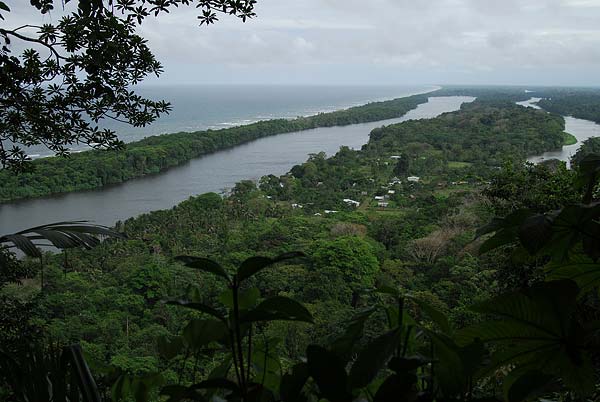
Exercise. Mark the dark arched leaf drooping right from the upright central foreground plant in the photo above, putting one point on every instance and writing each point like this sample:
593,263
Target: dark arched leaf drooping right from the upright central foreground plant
278,308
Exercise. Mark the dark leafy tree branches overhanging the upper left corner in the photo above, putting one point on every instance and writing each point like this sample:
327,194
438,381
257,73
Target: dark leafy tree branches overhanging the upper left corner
80,70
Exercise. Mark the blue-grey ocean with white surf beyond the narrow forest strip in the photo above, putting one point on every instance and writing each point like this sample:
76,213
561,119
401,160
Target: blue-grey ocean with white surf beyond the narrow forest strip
196,107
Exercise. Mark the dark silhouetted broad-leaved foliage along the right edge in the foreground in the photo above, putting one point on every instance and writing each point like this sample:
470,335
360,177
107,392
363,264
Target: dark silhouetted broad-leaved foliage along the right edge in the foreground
556,342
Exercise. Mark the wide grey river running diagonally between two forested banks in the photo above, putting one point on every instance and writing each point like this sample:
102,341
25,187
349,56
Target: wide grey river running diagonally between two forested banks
212,173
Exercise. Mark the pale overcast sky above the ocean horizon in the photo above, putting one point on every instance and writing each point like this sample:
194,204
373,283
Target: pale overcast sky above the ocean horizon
380,42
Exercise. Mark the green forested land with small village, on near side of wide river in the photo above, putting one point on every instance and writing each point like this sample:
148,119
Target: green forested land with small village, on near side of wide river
392,298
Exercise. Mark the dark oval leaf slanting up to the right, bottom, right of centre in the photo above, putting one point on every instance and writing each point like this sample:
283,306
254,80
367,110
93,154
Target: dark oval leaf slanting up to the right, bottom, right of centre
373,358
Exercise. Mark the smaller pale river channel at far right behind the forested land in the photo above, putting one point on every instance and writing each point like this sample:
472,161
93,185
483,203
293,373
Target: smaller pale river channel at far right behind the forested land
581,129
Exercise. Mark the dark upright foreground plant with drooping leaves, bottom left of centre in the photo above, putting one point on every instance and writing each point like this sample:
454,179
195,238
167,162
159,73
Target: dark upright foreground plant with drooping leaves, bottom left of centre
233,327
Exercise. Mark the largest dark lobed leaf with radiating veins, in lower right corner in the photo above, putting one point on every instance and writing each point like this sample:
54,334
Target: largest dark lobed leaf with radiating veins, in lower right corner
535,328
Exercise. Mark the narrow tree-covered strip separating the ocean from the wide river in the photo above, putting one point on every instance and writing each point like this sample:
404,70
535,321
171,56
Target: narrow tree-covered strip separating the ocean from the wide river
94,169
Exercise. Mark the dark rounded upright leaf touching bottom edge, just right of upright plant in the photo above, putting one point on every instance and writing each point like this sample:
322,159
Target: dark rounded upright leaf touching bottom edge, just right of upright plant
329,373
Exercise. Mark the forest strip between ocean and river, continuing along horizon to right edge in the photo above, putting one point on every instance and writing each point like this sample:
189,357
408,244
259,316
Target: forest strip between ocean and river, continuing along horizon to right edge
94,169
